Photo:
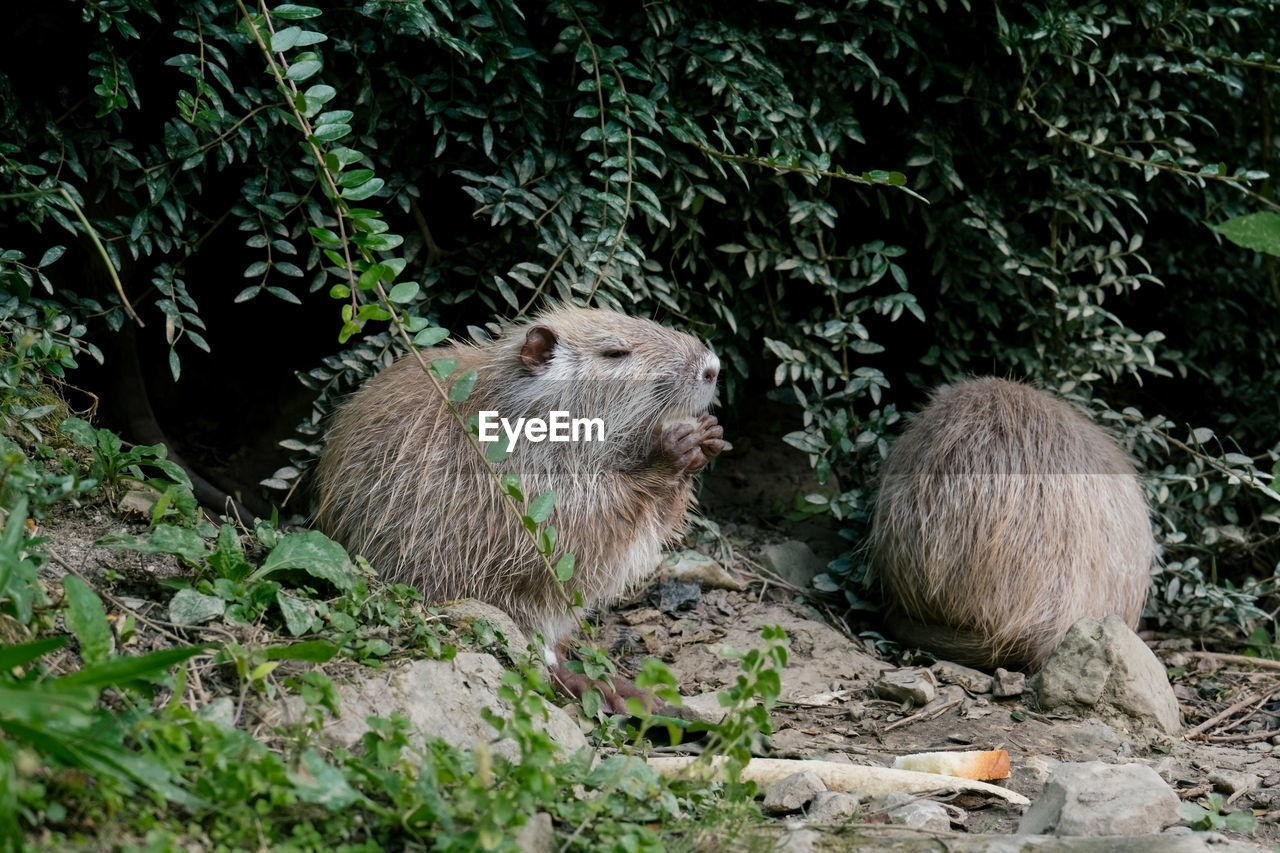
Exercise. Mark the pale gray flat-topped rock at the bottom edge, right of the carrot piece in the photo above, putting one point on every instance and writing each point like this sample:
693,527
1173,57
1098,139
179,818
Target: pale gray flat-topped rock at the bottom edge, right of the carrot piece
1095,800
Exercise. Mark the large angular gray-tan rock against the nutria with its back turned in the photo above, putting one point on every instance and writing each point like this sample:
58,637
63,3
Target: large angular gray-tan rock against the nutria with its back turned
1104,668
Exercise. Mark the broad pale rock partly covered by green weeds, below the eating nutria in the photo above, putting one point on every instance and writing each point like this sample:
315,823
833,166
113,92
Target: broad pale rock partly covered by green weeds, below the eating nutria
441,699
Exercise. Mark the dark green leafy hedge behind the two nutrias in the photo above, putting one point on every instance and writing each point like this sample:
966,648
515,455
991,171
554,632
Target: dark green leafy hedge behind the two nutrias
852,202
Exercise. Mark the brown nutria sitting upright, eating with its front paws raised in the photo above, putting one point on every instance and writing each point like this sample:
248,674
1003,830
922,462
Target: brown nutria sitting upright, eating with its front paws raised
400,482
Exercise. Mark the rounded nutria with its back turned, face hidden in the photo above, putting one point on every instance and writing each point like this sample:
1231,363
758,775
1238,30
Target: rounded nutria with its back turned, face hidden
1004,517
